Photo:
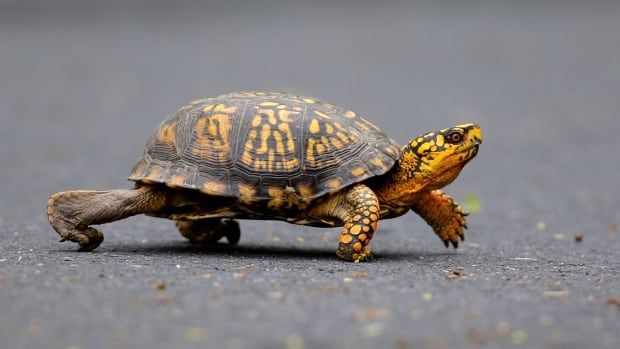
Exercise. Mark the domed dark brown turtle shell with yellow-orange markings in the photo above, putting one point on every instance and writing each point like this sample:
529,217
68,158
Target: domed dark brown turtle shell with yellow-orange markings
261,146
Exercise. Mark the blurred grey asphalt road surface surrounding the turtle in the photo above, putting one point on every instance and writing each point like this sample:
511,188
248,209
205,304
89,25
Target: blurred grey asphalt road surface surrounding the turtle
82,87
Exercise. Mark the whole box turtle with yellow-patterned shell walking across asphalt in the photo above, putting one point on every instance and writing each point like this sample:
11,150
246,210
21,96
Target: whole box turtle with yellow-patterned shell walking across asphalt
279,156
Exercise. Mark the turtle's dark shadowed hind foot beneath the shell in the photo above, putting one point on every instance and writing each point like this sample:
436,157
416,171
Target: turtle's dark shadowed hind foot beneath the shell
210,231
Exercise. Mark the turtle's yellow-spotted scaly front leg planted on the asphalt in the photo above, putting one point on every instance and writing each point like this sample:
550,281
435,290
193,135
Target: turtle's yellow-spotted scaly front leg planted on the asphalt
358,208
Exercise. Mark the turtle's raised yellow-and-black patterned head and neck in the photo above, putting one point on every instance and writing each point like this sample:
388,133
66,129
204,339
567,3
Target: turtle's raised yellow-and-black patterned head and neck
435,159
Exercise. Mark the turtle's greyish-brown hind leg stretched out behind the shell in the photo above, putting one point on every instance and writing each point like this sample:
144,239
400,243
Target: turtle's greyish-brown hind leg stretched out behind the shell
71,213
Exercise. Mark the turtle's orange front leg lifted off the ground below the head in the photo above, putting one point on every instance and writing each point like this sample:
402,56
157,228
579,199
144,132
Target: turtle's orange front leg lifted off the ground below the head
444,215
